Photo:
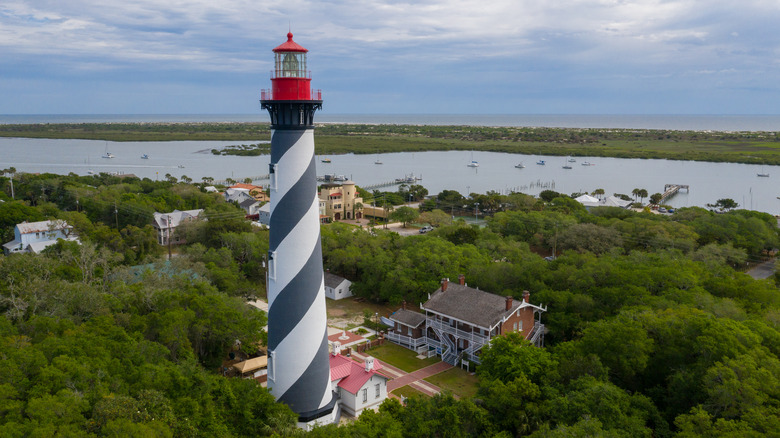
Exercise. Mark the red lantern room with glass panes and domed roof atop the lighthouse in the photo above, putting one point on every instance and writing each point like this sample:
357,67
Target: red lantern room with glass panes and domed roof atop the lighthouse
290,79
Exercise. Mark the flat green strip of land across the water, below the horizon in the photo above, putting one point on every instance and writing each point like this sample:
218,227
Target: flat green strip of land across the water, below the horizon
712,146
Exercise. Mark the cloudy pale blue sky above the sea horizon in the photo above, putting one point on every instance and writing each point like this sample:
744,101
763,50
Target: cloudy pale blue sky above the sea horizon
393,57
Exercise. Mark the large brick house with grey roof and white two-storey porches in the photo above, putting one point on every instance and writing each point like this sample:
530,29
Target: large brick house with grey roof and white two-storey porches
460,320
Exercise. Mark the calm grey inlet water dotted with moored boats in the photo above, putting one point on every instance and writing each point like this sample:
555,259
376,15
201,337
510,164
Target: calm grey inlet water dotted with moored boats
442,170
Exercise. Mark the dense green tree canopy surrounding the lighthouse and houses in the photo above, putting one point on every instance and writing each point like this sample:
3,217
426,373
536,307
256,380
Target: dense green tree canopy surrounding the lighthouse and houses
654,328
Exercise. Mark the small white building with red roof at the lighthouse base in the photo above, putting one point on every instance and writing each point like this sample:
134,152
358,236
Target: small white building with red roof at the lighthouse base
359,387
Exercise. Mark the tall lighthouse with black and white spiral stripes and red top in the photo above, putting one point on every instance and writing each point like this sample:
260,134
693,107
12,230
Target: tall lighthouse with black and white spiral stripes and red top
298,364
